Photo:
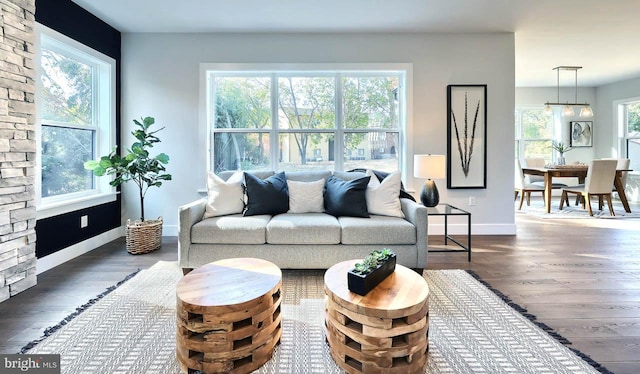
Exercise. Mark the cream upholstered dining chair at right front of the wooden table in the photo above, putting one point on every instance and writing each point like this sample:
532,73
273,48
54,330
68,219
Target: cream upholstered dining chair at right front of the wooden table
600,176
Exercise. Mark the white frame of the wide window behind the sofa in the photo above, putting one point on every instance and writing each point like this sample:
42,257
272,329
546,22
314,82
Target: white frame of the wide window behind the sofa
404,130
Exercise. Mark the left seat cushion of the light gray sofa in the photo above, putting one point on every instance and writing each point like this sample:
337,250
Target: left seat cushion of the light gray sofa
232,229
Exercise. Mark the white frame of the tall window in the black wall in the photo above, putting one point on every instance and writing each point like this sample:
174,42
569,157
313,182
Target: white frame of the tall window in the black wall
104,122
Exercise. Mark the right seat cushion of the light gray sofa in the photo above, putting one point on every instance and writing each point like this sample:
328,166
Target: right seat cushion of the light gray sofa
378,230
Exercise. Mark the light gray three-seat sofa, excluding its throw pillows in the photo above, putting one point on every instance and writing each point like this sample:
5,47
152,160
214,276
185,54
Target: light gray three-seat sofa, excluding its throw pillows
301,240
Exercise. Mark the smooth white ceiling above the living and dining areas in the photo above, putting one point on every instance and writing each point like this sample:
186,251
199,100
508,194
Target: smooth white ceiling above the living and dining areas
601,36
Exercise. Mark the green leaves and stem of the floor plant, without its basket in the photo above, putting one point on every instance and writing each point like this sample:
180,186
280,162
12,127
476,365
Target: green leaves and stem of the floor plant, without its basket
137,165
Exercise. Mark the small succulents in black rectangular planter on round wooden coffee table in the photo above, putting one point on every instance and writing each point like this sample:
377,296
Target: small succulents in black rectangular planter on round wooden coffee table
373,269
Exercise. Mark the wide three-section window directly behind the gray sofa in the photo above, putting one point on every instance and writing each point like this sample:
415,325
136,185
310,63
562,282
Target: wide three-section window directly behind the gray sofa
284,120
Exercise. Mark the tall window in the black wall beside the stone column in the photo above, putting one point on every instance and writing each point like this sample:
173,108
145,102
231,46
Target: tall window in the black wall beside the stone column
76,117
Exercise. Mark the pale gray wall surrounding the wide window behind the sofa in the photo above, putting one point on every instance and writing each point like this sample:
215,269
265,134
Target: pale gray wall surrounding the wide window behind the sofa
160,75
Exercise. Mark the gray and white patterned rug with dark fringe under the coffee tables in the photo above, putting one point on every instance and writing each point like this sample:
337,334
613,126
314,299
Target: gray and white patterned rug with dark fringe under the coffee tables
472,330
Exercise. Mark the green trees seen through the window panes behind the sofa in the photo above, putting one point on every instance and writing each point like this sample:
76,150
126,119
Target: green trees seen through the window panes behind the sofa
304,103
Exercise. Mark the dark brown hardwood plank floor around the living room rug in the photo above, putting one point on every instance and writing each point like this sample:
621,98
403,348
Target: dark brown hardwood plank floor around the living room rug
579,276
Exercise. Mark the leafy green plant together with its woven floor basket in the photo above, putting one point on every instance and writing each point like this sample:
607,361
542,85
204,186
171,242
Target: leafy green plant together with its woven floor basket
137,165
